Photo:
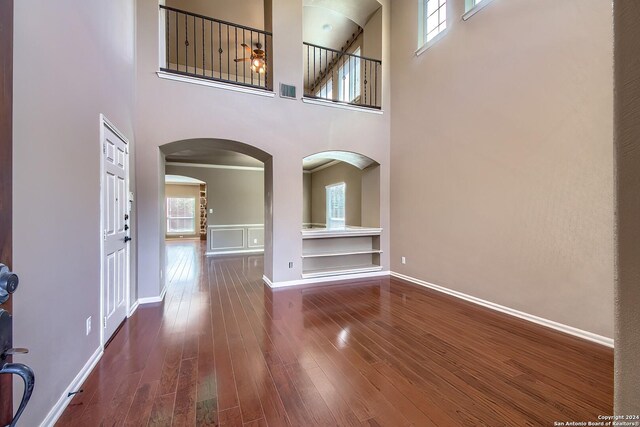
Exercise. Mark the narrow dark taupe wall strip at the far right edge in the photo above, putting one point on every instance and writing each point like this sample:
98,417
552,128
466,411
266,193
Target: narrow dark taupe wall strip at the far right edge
627,123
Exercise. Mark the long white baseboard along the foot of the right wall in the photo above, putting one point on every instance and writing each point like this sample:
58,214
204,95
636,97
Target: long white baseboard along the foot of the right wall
589,336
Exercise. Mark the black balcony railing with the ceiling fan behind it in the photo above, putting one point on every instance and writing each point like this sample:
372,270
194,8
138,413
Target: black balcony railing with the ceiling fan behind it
208,48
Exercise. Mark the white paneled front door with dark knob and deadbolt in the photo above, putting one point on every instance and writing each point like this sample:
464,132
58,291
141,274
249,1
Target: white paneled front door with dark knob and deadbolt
115,220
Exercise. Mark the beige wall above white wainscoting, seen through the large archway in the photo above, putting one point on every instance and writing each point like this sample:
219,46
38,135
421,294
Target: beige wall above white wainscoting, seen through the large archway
236,196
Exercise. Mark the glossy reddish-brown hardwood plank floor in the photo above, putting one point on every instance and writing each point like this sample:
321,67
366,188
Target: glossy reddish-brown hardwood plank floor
223,349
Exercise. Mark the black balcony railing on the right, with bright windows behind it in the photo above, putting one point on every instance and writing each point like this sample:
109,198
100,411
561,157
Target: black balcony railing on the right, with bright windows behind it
342,77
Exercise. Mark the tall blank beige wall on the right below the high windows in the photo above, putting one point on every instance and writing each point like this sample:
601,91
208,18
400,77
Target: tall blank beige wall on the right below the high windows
502,173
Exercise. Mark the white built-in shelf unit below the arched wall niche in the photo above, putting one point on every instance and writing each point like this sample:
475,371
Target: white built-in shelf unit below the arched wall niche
343,251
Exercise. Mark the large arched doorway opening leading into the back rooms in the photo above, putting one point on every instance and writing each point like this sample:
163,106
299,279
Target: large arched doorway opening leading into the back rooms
217,197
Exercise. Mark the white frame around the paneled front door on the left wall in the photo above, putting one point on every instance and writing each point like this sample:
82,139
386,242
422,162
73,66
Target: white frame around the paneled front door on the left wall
104,122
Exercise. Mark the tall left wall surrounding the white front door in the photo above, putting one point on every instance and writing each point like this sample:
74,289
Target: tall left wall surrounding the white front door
72,61
